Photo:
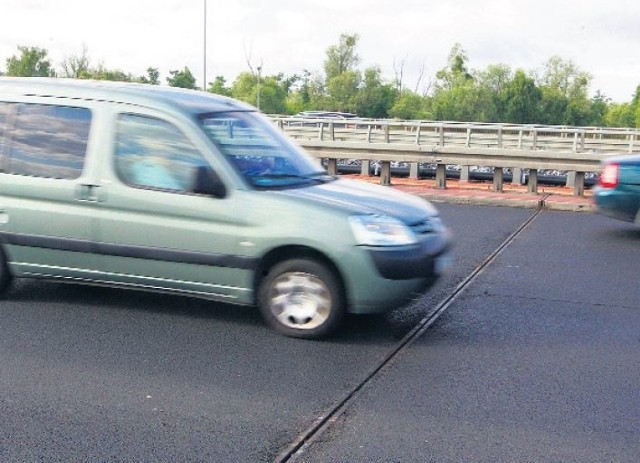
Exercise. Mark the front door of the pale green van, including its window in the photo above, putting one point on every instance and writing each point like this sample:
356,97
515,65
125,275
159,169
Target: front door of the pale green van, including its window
155,230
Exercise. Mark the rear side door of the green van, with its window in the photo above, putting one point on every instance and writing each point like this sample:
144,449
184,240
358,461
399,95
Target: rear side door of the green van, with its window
46,223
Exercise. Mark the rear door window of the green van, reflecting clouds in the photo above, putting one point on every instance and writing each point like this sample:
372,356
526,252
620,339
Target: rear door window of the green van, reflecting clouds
48,141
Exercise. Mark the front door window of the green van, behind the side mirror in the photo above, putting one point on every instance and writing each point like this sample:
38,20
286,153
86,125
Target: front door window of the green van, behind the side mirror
152,153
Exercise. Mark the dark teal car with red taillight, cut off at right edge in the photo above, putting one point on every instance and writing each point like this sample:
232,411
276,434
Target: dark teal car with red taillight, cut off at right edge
617,194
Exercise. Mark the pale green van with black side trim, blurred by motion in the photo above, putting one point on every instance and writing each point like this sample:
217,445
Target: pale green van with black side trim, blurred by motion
183,191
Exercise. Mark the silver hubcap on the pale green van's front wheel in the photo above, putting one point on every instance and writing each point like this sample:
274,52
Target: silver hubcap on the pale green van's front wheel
300,300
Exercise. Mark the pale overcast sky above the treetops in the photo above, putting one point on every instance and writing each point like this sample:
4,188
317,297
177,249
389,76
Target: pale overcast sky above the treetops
290,36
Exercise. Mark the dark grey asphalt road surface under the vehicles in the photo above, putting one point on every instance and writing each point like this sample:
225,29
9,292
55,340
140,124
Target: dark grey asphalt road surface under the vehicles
528,350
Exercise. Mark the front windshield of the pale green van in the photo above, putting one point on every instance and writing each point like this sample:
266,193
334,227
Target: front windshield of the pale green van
260,152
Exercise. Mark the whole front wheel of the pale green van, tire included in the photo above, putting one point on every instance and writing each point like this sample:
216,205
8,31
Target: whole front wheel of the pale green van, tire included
302,298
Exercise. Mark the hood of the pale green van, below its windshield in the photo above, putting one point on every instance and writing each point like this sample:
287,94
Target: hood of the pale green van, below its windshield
358,197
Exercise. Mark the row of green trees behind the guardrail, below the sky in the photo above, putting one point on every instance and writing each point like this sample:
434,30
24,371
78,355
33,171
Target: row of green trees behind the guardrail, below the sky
557,96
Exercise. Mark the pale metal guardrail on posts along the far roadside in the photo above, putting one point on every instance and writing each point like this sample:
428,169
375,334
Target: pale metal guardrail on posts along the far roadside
577,150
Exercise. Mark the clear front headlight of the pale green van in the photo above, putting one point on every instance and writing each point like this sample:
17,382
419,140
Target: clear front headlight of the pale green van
380,230
